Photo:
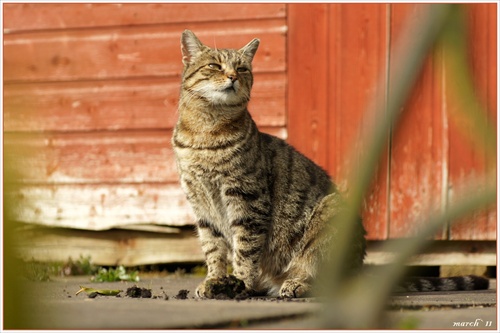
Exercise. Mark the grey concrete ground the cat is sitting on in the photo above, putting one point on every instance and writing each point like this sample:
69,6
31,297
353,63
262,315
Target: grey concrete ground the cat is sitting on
54,305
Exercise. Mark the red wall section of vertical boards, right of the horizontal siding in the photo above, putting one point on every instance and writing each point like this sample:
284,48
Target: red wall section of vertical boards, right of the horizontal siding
345,51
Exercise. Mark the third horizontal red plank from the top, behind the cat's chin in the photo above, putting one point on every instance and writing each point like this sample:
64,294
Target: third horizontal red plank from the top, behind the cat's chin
121,104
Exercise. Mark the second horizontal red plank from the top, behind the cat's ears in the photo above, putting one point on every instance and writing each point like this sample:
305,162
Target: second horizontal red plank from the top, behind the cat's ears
152,51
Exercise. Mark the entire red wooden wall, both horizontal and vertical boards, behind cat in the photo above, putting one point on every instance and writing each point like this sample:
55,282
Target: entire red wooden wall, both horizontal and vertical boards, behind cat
90,91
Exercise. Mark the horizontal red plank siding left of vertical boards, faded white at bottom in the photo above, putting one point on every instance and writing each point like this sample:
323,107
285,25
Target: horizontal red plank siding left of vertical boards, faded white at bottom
91,91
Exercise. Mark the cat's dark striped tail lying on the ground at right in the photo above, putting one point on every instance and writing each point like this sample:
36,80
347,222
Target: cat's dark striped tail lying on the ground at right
468,282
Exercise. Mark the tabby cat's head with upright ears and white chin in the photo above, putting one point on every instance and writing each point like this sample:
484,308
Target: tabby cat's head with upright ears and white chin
221,77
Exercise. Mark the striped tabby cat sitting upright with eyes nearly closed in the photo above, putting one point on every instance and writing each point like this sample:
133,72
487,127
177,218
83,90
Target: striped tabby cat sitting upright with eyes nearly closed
258,201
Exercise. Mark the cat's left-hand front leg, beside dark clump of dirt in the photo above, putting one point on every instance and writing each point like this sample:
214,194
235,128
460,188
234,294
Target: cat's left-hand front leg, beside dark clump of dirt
215,248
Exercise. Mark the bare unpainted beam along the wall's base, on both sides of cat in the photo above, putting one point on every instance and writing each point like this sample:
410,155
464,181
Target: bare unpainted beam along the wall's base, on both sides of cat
133,248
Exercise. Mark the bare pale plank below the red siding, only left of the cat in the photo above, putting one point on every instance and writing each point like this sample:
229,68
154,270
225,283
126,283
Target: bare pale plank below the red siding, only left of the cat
108,248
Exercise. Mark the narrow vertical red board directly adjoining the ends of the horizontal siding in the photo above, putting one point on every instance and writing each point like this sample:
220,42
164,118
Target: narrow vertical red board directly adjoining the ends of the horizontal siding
307,80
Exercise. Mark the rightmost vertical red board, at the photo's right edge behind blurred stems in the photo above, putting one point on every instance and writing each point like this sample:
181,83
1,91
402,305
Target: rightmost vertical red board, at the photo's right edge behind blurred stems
467,160
